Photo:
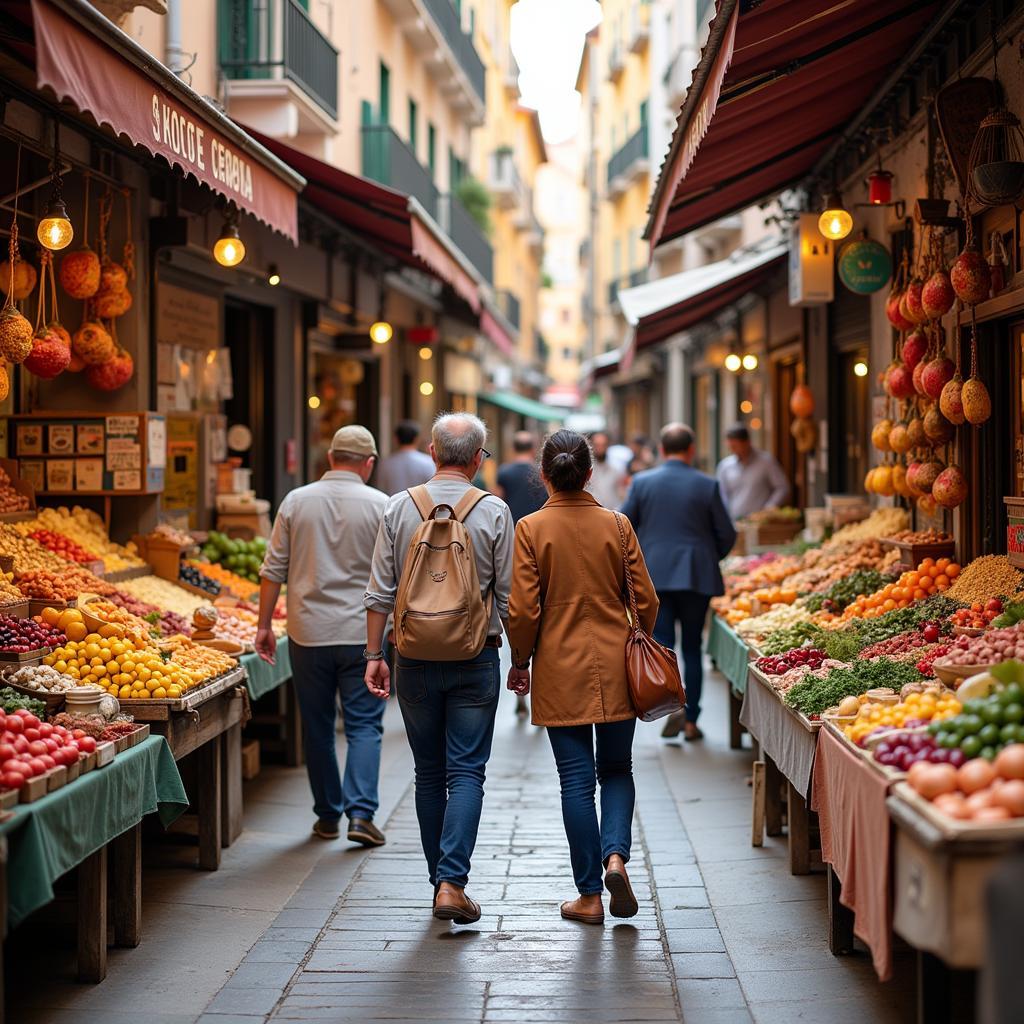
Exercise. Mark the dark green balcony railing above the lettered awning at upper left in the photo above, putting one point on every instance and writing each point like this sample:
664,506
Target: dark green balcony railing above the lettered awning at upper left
277,39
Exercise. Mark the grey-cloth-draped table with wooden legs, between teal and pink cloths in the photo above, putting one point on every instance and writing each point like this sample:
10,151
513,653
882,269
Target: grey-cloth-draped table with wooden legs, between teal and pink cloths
787,743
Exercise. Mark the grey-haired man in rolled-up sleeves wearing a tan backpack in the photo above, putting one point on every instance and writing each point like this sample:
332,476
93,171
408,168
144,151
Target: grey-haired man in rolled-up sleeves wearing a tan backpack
443,567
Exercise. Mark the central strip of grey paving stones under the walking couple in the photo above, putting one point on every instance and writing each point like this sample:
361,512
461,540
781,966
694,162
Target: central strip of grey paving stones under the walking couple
380,956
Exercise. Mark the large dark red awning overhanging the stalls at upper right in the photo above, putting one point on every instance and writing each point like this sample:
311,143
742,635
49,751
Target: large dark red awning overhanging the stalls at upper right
777,87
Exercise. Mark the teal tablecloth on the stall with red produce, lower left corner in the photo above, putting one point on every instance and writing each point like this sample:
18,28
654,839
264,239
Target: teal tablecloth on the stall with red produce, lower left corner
51,837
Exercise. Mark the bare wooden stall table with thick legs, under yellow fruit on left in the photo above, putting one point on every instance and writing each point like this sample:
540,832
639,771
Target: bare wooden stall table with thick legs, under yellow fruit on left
207,722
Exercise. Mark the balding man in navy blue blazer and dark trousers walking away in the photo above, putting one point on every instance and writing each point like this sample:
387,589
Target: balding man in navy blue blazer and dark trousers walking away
685,532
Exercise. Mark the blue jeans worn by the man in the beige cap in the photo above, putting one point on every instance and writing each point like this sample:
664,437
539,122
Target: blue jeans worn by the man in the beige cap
322,674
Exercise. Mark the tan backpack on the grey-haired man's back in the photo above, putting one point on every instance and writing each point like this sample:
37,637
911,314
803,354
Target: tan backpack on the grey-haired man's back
440,615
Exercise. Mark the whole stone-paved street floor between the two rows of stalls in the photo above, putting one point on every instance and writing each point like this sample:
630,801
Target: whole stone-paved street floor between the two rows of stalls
724,935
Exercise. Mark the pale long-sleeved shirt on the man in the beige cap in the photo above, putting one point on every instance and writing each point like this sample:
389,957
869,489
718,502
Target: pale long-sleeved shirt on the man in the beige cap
322,546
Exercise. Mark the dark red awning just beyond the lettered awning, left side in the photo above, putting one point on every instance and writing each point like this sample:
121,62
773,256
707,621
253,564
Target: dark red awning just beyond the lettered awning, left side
379,215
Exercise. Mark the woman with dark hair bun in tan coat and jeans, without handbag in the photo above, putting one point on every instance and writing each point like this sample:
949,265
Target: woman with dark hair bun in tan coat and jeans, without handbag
568,617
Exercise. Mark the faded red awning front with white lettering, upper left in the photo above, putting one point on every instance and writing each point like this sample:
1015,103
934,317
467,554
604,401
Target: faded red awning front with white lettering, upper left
84,59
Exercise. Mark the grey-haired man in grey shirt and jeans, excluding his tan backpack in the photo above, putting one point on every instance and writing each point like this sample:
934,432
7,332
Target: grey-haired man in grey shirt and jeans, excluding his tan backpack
449,707
